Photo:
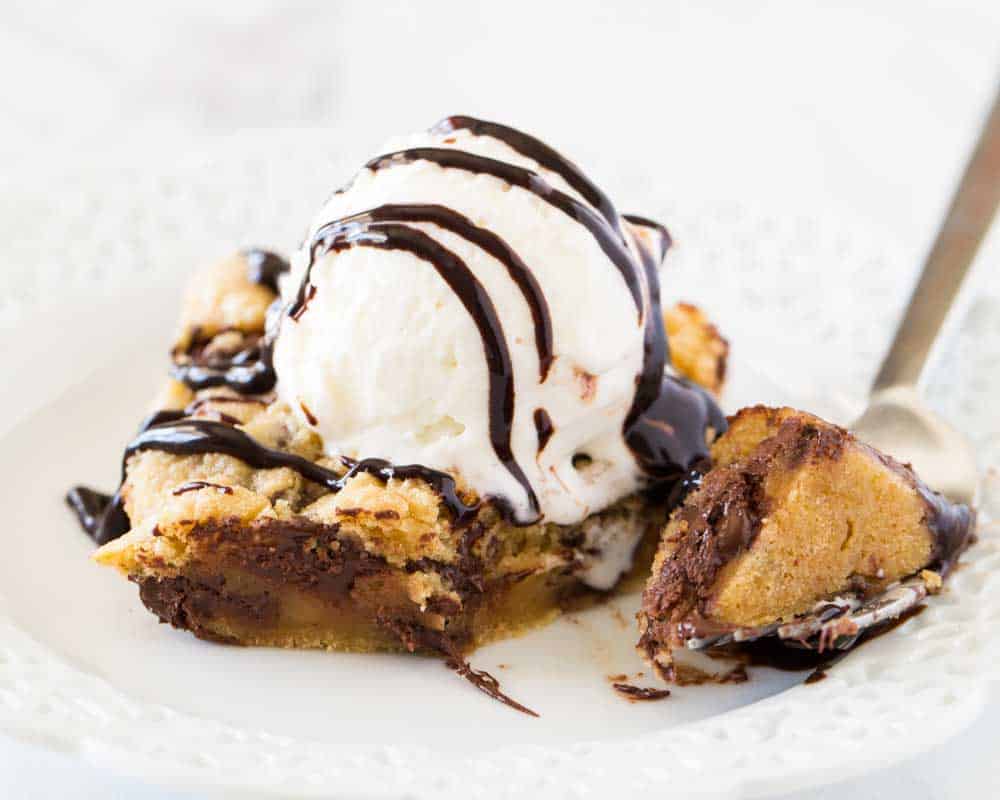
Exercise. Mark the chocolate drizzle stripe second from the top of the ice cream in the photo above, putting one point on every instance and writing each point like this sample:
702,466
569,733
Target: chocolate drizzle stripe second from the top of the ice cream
607,237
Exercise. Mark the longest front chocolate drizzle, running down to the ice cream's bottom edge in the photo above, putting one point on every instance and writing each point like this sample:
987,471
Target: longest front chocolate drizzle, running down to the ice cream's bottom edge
347,234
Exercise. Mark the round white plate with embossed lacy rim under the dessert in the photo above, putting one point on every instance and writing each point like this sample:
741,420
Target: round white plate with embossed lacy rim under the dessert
85,668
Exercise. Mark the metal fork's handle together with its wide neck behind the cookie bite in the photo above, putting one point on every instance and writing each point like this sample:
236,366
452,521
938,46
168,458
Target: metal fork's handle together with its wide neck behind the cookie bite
897,421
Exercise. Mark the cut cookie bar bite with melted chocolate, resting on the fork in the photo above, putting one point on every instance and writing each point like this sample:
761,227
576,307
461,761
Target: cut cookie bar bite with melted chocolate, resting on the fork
794,511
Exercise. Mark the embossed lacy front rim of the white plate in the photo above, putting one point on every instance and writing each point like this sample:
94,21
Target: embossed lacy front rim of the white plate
878,707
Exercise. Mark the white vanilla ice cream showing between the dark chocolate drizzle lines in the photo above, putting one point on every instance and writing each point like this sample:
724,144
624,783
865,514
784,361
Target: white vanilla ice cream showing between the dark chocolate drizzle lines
386,360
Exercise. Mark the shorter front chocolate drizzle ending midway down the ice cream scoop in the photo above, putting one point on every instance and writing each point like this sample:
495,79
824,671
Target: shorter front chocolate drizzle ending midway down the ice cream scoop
485,240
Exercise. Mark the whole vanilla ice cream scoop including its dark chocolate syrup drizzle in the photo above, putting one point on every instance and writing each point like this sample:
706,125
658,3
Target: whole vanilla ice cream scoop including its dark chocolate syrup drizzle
472,303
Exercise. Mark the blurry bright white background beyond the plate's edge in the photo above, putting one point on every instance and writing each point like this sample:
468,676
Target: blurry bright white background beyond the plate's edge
865,111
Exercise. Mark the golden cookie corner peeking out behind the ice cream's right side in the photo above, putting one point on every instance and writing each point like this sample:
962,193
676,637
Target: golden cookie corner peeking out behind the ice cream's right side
697,349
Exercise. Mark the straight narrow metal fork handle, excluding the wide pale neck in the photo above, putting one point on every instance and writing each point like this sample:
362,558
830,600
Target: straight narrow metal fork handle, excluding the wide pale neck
968,219
